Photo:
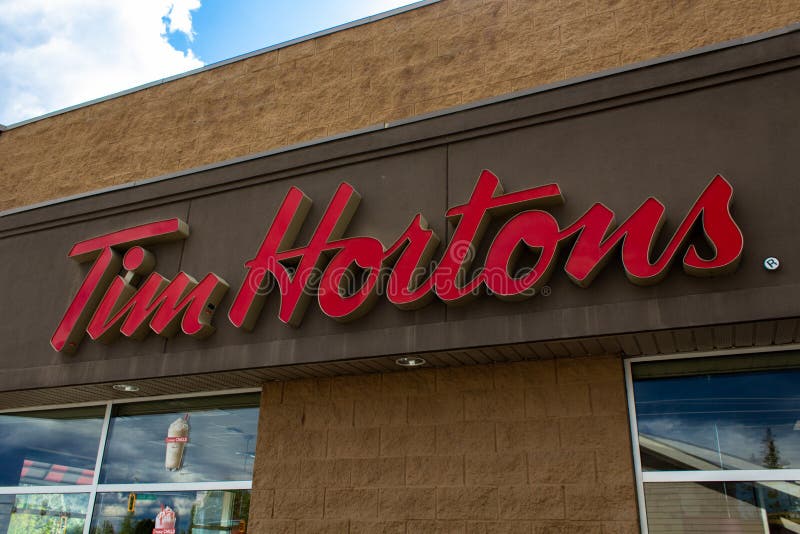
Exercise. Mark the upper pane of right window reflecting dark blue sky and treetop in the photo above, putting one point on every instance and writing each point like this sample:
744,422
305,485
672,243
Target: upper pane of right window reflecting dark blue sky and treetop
724,420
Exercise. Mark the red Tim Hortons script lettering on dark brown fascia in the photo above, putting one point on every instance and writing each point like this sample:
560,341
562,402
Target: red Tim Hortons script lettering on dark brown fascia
121,293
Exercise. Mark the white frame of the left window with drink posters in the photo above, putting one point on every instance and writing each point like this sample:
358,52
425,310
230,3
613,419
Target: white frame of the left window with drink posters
95,487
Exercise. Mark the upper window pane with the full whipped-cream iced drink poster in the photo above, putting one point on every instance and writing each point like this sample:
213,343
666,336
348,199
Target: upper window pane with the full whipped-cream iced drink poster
199,439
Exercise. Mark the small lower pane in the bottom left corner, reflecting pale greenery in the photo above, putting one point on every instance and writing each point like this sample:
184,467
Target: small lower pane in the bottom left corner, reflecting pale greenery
43,513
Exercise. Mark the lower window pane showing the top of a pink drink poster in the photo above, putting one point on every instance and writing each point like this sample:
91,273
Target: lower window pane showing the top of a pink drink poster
190,512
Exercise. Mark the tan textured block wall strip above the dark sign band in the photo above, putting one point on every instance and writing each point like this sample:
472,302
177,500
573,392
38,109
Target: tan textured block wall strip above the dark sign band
427,59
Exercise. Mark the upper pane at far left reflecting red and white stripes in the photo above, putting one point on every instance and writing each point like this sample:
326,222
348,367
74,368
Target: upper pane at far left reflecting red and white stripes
48,448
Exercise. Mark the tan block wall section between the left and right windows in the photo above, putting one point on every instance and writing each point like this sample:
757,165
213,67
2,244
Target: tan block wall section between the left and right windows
534,447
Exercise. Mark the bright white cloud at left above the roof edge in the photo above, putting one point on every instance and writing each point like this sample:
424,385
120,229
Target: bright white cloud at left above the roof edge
58,53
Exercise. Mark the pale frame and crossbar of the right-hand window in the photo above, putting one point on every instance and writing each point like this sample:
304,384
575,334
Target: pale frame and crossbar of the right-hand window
730,475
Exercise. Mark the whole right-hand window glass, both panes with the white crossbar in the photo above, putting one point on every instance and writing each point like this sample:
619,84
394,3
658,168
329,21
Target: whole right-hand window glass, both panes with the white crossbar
719,442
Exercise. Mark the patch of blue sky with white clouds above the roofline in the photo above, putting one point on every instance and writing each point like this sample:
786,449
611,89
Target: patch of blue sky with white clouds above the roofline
59,53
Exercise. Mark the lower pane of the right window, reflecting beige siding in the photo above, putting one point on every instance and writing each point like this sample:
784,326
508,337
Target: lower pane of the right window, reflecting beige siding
724,507
